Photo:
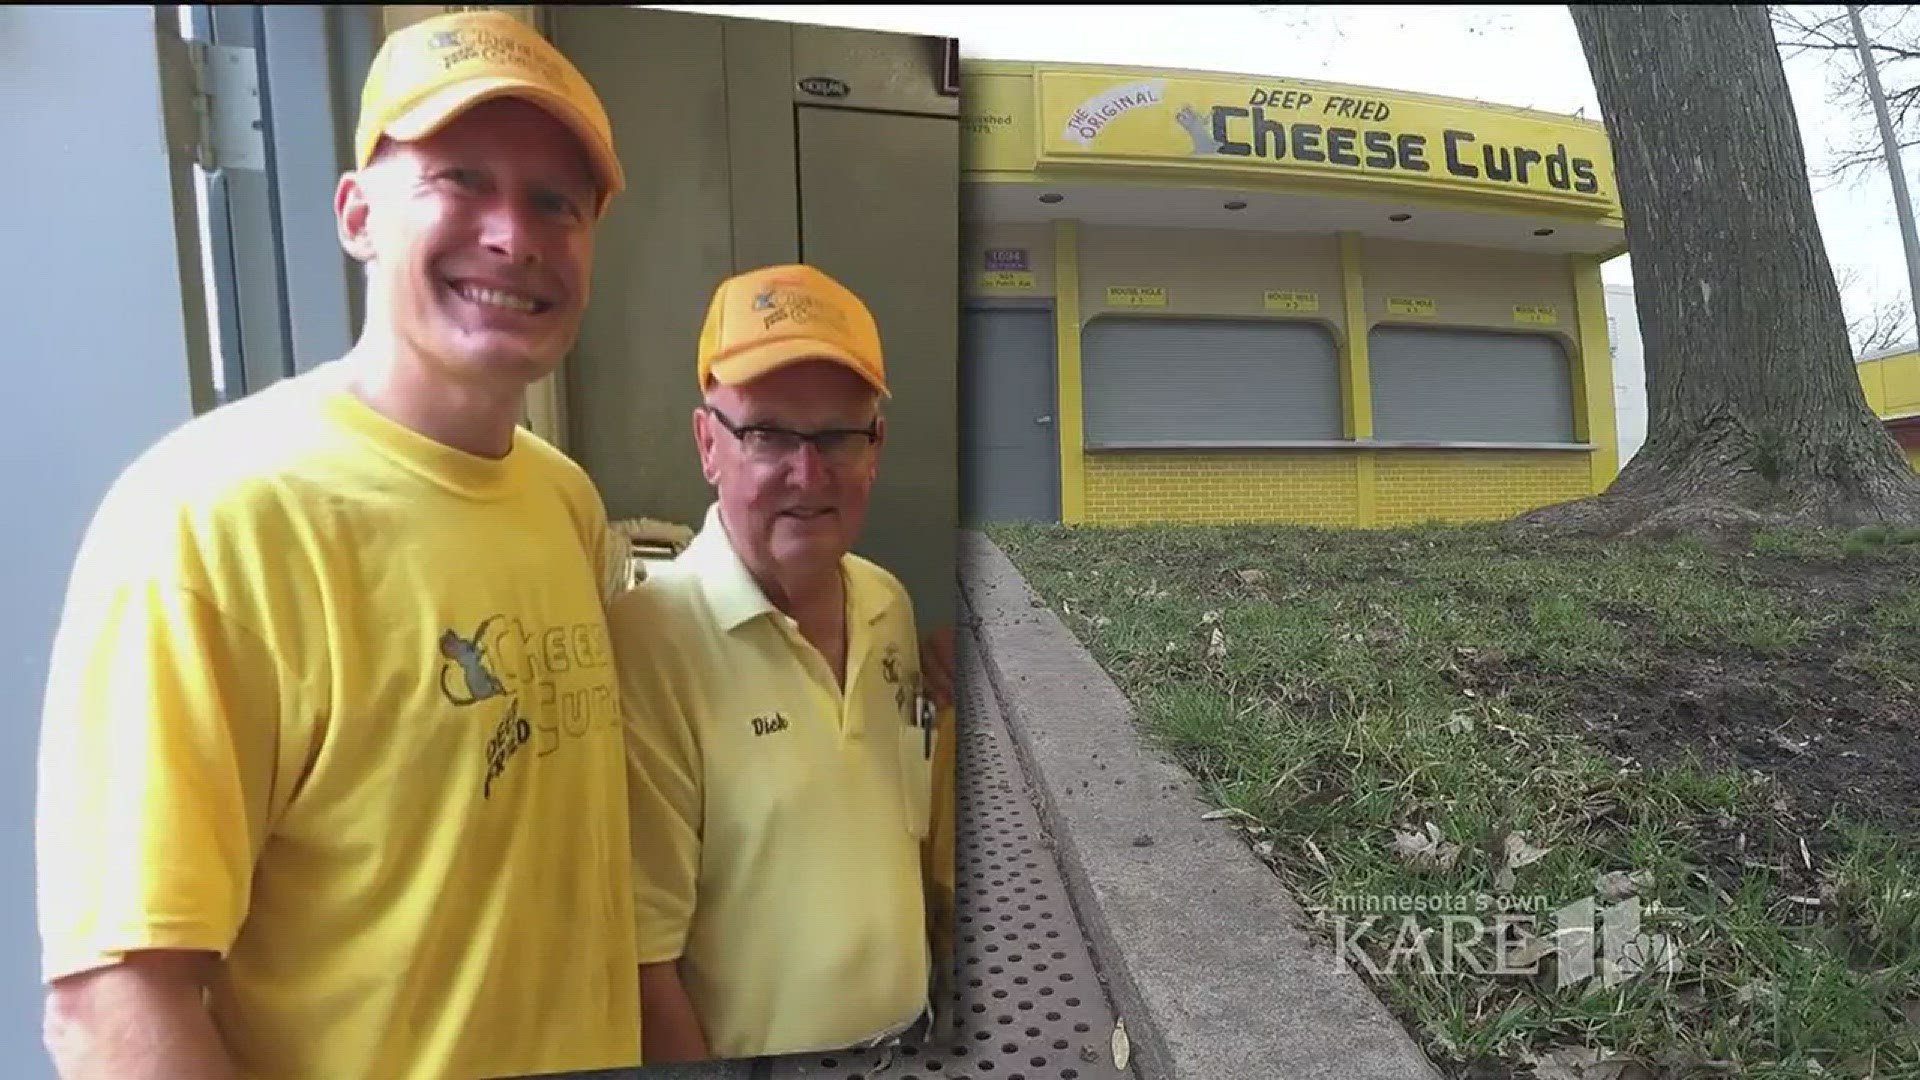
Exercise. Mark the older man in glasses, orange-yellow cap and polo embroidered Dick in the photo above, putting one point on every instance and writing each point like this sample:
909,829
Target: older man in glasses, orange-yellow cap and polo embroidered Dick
779,729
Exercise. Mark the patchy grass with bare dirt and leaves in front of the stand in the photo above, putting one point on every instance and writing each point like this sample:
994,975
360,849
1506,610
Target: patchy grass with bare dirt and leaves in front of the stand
1441,712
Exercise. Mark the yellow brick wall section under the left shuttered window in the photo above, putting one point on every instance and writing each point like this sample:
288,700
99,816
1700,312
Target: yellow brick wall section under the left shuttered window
1297,487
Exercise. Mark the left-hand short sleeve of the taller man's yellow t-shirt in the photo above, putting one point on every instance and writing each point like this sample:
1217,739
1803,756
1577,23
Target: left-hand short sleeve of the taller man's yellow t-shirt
158,745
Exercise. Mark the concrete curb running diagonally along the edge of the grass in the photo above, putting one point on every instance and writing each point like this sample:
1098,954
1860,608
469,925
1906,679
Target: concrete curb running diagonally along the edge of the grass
1199,945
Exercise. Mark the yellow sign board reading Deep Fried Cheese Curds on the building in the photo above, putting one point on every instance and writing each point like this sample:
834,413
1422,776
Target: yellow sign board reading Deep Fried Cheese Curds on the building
1314,130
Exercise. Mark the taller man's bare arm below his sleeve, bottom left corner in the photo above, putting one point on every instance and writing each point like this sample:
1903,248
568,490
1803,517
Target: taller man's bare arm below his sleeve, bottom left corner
139,1019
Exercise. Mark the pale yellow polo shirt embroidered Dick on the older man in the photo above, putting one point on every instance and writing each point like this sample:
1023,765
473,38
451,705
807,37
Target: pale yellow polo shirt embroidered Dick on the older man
779,822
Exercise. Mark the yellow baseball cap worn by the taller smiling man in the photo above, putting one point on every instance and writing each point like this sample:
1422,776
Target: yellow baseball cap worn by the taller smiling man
435,70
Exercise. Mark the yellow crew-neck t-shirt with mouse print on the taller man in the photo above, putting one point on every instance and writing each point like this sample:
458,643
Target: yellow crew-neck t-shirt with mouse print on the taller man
337,702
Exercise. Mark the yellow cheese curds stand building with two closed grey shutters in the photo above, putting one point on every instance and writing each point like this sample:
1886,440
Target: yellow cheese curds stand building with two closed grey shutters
1214,299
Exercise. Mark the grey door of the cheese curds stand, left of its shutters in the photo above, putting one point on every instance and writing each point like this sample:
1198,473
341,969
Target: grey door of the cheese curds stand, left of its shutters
1009,445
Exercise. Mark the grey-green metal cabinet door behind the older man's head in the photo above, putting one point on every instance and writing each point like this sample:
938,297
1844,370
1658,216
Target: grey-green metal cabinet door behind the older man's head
880,199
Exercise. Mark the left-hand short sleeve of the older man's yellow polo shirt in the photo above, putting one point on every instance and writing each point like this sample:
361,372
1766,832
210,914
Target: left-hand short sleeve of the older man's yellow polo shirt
665,791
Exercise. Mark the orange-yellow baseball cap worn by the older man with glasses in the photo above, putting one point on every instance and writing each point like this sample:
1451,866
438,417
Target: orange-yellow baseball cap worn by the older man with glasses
777,316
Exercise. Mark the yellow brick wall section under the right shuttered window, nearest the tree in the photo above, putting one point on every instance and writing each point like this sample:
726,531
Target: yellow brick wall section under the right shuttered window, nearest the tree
1474,485
